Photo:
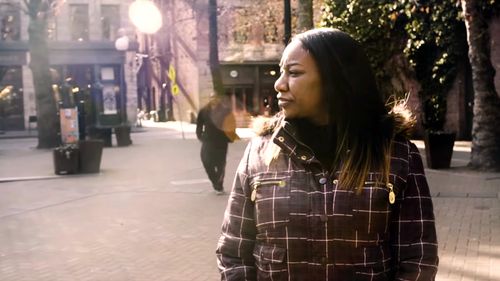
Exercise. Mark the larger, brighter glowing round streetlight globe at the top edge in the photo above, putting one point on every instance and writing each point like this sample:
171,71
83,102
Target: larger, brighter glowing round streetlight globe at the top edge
145,16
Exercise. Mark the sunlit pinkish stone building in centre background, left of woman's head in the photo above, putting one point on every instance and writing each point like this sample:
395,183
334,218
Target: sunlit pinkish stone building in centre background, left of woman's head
250,43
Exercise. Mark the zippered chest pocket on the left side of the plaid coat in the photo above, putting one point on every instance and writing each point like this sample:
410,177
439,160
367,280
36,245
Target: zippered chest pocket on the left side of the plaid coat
271,197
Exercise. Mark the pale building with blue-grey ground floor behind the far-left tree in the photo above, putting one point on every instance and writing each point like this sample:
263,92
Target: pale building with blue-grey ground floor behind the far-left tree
81,42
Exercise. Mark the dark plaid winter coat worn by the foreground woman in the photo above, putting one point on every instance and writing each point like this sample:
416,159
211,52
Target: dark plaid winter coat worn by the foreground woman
291,220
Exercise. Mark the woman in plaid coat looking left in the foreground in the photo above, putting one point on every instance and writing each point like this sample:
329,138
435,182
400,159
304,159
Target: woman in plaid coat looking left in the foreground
331,188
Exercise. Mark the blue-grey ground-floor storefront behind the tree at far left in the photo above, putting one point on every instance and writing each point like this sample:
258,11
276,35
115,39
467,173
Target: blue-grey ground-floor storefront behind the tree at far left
94,71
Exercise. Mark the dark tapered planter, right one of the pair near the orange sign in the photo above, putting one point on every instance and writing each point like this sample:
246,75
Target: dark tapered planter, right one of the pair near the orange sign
90,155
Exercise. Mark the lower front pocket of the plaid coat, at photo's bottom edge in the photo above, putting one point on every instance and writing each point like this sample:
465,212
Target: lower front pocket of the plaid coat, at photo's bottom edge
270,261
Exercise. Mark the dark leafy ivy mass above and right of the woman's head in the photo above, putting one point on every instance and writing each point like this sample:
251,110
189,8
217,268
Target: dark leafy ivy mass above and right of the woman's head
430,33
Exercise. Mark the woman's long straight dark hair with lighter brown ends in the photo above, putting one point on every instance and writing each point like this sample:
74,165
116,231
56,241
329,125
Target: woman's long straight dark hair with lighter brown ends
359,122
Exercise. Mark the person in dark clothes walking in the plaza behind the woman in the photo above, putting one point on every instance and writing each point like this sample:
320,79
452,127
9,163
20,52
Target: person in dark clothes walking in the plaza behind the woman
215,128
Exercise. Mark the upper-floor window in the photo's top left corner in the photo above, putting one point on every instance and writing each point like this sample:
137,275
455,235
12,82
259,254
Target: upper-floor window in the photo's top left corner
10,23
